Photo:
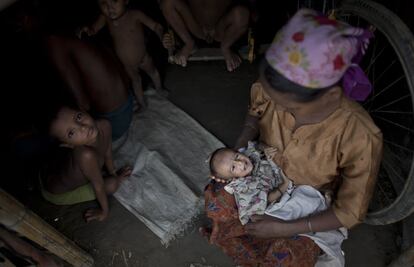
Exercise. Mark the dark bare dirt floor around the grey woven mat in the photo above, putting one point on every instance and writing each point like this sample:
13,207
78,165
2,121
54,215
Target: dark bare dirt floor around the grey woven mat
217,100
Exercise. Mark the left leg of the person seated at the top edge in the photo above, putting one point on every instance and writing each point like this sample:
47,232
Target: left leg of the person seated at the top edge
179,16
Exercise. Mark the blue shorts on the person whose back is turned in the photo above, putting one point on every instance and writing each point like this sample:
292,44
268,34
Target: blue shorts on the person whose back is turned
120,118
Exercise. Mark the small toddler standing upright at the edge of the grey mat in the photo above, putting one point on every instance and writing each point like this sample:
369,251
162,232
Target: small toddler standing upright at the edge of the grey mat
126,29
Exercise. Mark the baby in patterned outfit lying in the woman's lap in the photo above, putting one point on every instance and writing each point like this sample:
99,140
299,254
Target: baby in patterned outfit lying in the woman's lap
252,176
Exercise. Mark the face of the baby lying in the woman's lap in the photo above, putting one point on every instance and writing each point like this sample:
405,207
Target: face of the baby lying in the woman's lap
231,164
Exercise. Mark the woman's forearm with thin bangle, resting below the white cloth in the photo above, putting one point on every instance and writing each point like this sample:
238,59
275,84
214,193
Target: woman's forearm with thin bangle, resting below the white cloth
270,227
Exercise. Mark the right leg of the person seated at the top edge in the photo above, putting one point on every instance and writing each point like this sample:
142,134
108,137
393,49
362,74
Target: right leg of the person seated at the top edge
229,29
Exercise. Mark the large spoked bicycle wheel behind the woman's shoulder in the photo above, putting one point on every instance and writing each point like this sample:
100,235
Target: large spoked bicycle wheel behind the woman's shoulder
389,63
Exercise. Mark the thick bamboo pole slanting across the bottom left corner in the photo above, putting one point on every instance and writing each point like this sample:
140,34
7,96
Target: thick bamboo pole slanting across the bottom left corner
15,216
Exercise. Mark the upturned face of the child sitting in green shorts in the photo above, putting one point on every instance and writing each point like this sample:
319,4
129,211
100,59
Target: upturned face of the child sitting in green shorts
74,128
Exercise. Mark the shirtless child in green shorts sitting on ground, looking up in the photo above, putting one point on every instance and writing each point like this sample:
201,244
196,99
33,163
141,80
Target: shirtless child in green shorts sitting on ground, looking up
78,178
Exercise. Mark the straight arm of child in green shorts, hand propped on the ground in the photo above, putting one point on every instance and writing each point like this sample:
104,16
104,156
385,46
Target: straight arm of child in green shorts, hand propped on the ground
89,166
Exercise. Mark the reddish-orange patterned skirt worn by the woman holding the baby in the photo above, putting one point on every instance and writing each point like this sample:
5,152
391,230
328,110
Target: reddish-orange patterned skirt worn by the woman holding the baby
230,236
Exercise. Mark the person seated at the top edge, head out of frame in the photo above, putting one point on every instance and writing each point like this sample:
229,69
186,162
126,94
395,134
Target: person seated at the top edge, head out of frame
224,21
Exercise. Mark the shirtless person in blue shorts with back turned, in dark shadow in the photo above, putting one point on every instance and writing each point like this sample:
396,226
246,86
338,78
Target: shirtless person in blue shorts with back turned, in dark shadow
95,80
